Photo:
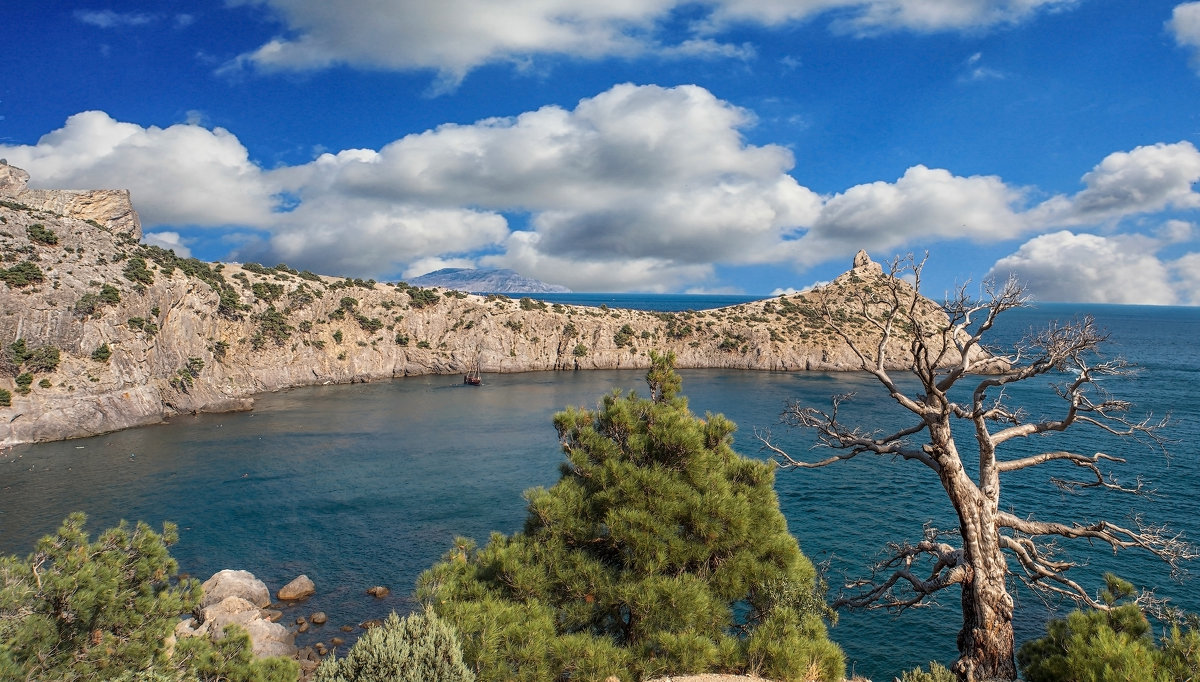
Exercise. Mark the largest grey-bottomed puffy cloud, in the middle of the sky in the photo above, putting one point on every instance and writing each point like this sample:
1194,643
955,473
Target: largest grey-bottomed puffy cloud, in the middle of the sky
661,176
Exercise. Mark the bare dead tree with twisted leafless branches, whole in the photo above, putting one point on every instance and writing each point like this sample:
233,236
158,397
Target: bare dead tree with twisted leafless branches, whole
946,348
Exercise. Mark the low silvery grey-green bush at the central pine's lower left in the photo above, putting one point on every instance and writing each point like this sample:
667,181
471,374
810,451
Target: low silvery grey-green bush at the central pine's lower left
421,648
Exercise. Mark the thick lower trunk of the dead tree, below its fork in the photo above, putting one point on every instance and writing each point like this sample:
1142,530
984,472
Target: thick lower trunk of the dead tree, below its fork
986,642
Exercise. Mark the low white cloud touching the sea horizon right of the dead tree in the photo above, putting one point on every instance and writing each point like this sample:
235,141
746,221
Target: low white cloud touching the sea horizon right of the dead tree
1089,268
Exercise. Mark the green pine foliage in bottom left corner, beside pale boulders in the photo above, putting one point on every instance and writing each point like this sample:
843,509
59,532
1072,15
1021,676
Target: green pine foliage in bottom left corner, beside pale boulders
79,611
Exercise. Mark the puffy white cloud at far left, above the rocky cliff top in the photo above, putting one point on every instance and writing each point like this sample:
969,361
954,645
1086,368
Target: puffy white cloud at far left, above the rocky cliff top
183,175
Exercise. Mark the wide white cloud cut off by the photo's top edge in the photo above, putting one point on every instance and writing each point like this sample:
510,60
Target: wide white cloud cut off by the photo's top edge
455,37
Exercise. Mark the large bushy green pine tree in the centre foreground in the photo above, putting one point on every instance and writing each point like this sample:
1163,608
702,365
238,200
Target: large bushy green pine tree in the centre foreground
659,552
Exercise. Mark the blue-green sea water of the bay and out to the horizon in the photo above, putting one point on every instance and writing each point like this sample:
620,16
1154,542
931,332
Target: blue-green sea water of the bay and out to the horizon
370,484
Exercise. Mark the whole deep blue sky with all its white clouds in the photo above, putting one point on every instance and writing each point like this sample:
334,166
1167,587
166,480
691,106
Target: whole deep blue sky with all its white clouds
634,146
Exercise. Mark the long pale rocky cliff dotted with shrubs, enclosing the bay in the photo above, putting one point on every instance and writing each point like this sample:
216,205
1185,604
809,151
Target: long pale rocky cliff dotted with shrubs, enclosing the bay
100,333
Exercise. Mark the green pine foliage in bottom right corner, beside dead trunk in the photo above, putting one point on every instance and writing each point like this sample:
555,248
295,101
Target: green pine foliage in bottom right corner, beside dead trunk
1109,645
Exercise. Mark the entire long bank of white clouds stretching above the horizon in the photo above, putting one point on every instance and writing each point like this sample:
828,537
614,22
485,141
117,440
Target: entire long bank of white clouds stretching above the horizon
635,189
